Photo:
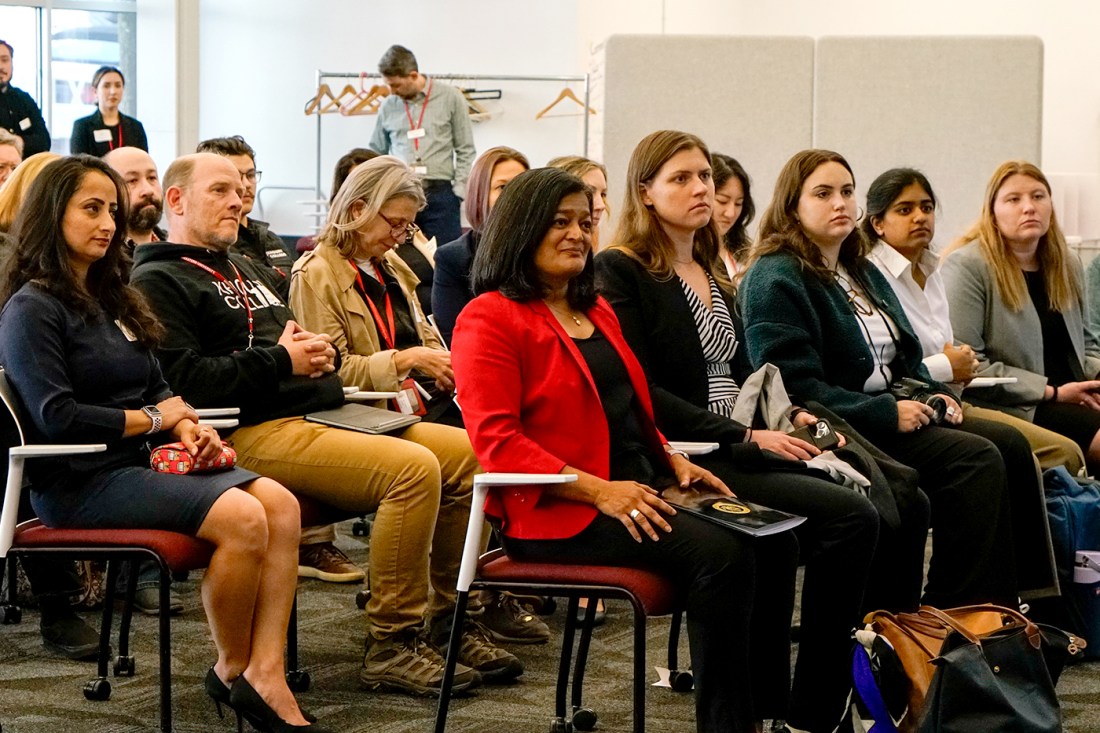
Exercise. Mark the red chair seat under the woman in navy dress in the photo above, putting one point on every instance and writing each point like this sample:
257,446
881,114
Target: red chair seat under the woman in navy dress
181,552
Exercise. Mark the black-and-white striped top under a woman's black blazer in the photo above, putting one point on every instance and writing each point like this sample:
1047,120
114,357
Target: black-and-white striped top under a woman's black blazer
719,340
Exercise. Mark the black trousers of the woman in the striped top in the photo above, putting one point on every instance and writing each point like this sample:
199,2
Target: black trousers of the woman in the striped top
837,544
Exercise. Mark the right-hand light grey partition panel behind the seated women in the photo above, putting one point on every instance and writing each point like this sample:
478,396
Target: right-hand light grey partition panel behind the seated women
953,107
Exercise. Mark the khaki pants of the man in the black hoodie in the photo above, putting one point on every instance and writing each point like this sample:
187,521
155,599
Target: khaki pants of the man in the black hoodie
419,484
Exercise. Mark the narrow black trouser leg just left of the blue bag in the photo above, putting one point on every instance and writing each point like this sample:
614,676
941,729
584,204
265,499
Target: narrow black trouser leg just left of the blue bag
1024,482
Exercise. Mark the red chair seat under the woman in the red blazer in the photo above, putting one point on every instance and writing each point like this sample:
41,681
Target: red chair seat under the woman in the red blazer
657,596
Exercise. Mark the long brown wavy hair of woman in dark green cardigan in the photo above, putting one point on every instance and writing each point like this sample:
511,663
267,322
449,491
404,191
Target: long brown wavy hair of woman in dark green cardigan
782,232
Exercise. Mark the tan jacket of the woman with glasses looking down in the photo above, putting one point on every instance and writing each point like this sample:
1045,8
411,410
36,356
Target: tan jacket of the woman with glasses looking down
325,301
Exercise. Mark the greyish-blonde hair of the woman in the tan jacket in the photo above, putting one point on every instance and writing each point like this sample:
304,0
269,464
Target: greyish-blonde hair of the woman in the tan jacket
373,184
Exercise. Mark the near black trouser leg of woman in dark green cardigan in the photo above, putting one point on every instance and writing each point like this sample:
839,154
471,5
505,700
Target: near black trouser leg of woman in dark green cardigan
964,477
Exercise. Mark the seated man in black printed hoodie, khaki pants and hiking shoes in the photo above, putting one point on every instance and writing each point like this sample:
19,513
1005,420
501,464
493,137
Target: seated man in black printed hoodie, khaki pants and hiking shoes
232,341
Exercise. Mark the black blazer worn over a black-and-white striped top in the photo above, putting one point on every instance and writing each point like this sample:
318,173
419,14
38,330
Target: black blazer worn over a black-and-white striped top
661,330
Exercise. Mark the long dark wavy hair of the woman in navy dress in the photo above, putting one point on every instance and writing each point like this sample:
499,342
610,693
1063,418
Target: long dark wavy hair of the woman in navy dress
42,254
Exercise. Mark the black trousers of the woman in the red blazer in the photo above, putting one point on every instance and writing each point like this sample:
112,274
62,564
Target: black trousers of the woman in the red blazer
740,598
